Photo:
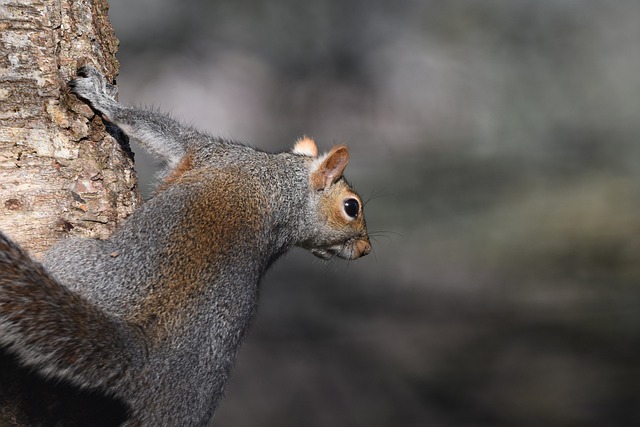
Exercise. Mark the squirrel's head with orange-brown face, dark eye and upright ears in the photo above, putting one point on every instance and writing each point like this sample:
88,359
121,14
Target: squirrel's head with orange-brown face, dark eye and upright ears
338,227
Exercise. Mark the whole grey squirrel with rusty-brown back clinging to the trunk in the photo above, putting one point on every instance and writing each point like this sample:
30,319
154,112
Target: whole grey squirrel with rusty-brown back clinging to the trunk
154,314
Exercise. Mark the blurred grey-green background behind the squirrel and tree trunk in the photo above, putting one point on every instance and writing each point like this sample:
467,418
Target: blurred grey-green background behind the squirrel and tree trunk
497,145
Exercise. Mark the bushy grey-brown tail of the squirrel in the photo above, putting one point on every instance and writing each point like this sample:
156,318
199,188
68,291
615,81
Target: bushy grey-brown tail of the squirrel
57,332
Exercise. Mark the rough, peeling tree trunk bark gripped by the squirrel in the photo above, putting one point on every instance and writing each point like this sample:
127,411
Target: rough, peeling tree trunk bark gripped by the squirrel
61,173
